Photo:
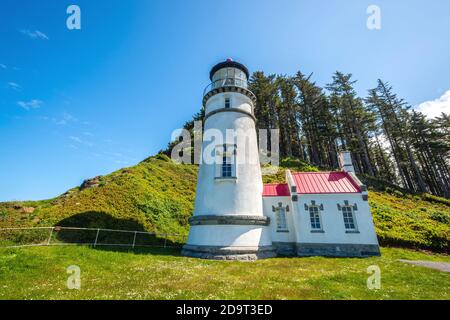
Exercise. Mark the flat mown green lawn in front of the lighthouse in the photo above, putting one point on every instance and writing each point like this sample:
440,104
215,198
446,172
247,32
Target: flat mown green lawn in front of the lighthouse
40,273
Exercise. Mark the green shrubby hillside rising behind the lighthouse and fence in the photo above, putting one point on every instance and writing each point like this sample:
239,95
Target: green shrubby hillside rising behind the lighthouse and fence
157,195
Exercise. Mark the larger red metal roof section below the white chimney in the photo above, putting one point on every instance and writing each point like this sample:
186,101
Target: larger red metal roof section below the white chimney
324,182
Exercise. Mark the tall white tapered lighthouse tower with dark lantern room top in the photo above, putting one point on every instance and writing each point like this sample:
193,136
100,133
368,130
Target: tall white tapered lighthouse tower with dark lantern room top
228,221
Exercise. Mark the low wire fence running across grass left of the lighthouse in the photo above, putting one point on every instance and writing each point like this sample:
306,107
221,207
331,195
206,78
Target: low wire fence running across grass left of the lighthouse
65,236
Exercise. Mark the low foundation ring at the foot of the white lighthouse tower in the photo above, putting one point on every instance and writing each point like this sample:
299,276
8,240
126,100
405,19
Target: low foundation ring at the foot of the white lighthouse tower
229,253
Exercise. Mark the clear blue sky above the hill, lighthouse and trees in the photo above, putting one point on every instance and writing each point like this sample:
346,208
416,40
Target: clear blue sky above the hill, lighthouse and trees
76,104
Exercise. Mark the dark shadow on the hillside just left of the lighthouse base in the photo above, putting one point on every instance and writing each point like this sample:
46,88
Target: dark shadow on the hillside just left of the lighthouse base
115,236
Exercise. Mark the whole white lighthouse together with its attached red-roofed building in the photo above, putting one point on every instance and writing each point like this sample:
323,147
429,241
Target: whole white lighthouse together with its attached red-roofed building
236,217
